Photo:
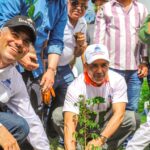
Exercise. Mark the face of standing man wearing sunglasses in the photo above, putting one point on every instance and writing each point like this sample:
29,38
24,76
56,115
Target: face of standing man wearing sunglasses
77,9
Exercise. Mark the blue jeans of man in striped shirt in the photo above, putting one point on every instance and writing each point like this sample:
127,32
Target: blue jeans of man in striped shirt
134,84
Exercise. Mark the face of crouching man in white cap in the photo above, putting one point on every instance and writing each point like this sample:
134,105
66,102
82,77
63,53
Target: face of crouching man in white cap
97,70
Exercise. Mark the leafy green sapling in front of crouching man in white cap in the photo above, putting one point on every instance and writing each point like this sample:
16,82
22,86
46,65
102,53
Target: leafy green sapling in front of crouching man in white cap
88,128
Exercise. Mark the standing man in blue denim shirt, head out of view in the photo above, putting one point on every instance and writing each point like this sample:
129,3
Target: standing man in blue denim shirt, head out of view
50,17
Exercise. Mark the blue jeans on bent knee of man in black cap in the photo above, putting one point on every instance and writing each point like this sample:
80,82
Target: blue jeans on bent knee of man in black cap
16,125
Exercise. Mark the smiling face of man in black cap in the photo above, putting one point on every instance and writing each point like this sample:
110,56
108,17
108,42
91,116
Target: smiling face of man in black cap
14,45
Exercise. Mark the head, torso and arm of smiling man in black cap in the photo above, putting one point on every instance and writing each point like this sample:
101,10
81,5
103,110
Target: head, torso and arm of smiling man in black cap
16,38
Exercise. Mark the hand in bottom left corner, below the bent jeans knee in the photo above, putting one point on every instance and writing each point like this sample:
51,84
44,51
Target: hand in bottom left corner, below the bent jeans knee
7,141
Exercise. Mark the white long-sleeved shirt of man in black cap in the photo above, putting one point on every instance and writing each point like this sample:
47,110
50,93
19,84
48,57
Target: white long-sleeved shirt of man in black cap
14,94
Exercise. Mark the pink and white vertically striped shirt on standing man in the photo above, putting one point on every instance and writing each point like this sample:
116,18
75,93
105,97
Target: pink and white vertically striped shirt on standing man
118,30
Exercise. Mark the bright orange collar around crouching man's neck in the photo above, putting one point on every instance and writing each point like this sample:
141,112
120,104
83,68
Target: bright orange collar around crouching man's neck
88,80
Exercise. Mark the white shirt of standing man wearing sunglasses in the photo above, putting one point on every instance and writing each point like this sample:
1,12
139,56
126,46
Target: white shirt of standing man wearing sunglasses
69,40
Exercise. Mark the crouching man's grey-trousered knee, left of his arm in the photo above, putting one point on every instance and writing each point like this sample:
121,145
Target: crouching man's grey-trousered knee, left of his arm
57,116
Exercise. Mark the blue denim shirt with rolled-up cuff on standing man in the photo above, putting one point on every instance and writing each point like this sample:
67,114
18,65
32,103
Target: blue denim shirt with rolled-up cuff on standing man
50,17
